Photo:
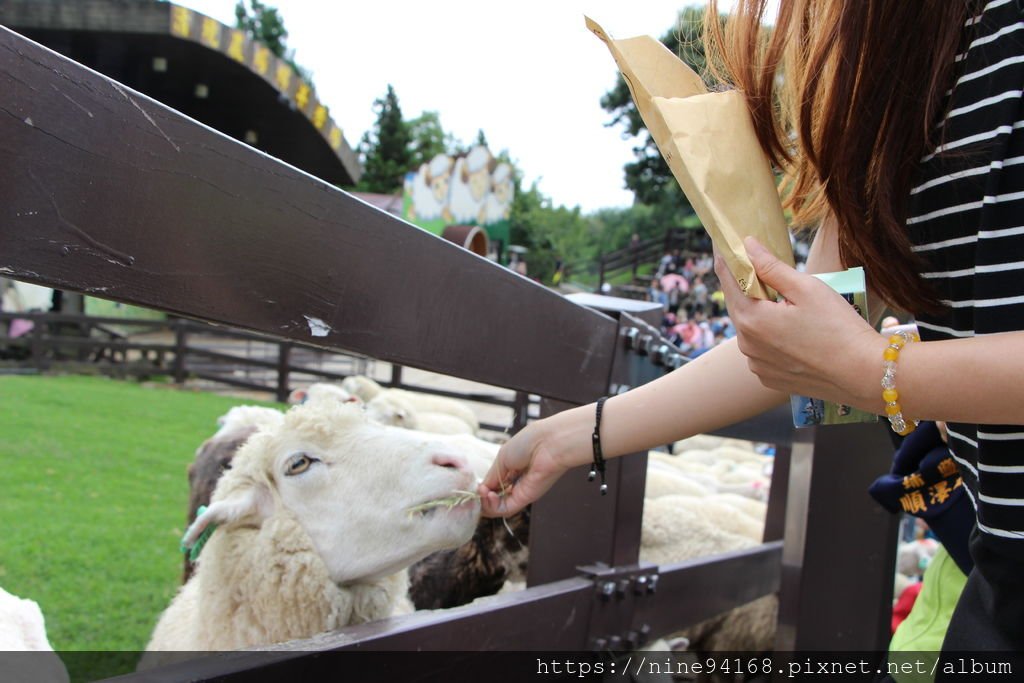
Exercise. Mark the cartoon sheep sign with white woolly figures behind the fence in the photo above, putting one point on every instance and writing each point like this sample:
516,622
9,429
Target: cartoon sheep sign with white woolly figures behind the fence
471,190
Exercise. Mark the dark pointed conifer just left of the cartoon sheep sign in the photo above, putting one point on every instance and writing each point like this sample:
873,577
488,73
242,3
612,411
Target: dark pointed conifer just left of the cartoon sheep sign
387,150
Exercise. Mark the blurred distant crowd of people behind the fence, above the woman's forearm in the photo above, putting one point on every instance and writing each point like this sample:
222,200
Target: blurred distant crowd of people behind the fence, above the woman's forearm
696,319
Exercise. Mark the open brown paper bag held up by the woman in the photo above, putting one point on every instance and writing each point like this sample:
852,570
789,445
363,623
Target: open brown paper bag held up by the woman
709,143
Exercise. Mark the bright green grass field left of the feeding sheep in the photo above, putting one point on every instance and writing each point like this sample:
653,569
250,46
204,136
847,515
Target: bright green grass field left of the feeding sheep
94,494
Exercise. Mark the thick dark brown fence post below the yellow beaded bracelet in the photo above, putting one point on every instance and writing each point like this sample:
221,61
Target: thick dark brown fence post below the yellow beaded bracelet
840,545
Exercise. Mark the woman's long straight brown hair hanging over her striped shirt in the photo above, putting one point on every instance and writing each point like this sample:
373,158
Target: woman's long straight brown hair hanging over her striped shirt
845,97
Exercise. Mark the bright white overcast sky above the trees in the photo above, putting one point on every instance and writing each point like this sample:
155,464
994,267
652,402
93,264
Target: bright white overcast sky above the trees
529,73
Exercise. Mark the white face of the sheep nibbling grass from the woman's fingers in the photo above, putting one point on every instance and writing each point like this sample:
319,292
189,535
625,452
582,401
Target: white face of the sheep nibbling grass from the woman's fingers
352,485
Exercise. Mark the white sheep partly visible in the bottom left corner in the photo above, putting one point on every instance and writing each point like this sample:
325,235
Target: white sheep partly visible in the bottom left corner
23,629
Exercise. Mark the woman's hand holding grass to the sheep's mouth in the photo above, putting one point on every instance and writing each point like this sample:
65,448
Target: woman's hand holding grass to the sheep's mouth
527,466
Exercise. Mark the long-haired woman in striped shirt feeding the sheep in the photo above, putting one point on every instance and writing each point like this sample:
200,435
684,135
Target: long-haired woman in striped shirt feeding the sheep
924,190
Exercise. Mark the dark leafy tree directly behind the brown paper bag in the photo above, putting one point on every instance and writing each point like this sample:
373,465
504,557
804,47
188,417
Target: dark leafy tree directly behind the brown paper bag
649,178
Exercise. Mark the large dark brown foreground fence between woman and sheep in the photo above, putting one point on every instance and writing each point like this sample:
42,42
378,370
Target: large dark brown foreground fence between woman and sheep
168,215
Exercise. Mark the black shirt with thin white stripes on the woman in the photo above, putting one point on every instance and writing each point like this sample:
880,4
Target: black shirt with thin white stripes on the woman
967,221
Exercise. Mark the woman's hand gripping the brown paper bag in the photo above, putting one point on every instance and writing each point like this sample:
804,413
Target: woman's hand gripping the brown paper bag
814,344
